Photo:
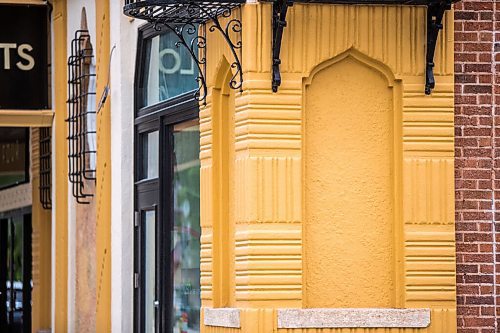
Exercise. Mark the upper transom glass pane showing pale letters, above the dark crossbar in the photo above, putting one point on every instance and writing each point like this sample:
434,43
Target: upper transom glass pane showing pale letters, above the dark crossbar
169,69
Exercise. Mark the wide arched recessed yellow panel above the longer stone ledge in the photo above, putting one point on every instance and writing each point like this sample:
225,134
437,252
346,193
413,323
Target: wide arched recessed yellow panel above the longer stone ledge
349,187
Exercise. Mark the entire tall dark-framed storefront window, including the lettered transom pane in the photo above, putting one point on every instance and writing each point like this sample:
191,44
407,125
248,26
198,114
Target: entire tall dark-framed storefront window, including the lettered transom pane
167,188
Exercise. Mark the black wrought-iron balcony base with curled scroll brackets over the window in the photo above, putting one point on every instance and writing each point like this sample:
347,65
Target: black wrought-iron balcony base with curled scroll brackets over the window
189,21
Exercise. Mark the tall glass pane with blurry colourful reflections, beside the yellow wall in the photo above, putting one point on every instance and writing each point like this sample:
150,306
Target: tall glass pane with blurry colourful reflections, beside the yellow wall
186,230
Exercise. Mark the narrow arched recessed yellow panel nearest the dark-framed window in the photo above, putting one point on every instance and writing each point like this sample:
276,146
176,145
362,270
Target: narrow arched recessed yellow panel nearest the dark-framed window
223,154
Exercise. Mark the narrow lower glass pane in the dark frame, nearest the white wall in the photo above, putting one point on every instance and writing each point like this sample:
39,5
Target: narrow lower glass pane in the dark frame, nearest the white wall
149,241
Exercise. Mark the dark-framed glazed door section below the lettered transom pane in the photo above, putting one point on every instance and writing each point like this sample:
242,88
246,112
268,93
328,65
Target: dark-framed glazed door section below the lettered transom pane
167,241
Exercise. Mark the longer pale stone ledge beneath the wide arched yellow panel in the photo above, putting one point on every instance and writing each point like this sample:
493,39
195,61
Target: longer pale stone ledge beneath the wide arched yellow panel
353,318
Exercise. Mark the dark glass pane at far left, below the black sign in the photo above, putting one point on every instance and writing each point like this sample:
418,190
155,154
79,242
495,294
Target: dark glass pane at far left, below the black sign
13,169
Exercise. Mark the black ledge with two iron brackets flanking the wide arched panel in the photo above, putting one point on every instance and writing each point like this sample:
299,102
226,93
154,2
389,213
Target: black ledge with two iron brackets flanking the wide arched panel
435,13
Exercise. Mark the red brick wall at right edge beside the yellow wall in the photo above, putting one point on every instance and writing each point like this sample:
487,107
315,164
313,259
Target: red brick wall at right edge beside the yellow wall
477,164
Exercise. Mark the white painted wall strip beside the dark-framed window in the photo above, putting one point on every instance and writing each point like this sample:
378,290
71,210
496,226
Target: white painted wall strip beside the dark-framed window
124,39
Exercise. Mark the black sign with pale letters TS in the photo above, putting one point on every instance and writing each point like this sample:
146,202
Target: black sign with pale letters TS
24,57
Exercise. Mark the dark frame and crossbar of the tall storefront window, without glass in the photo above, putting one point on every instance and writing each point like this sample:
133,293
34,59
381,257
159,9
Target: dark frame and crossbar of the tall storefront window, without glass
149,194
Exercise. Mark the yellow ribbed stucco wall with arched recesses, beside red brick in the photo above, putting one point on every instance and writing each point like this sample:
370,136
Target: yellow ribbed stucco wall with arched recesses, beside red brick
343,181
